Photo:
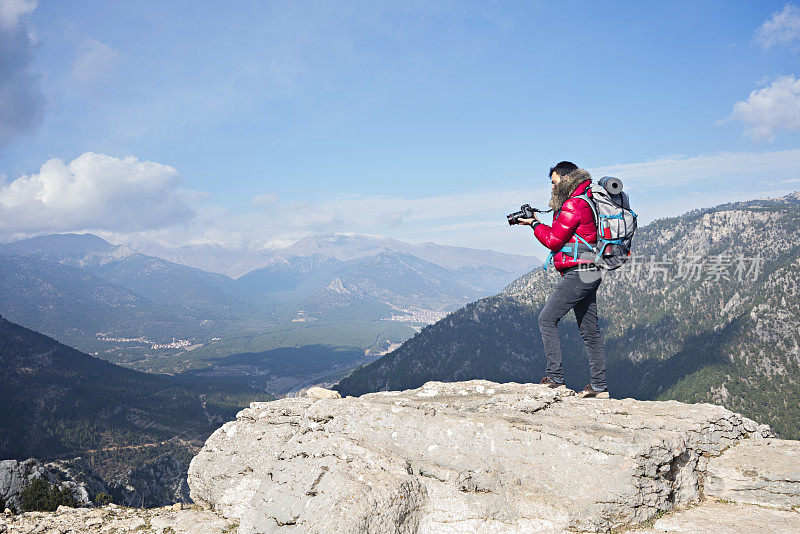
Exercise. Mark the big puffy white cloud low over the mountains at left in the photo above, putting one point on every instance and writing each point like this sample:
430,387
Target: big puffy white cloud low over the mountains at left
93,192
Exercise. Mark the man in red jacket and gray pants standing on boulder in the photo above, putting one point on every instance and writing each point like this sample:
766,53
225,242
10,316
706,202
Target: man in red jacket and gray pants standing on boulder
580,278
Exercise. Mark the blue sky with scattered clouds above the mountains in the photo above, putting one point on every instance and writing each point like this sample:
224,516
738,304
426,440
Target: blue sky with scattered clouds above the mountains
250,123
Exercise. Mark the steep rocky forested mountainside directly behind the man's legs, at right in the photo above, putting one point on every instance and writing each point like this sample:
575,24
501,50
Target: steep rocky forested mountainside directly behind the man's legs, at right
708,310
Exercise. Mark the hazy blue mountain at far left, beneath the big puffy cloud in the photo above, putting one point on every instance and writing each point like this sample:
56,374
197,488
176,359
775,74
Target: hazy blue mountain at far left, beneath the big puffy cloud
86,292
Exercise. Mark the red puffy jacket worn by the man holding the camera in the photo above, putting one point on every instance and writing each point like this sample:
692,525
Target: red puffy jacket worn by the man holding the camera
574,217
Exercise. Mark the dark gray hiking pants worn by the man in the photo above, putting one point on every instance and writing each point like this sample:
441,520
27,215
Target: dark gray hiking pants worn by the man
577,291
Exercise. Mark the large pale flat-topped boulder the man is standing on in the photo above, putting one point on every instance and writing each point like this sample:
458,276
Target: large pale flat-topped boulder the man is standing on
471,456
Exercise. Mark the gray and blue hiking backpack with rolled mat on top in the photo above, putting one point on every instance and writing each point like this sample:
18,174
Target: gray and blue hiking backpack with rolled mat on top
616,224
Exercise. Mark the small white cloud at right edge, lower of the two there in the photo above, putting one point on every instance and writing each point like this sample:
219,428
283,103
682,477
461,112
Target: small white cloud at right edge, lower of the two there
770,110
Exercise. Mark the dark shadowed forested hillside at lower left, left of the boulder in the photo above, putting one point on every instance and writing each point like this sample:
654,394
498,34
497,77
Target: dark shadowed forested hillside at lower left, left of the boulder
60,402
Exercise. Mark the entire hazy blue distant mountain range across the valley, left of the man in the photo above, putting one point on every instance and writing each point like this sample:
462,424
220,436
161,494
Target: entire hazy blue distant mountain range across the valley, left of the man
152,314
